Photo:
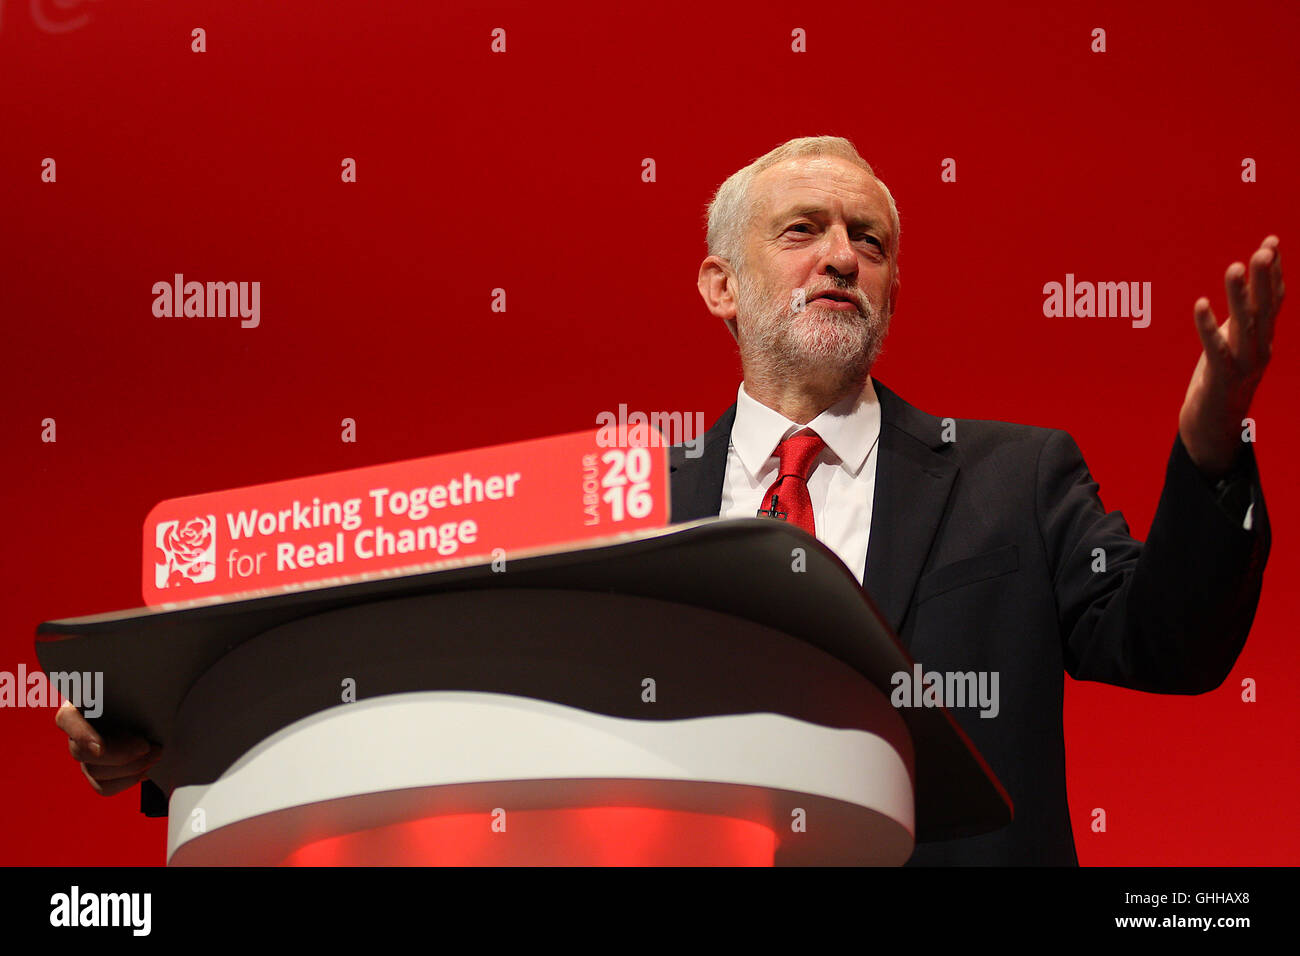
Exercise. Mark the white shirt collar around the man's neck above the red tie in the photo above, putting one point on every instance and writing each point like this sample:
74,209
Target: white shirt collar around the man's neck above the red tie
851,429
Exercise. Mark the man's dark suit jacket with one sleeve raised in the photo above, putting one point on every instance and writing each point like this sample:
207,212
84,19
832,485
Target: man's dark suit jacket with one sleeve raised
982,559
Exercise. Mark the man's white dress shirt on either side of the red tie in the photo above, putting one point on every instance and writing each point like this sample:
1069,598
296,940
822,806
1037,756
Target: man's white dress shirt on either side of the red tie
843,482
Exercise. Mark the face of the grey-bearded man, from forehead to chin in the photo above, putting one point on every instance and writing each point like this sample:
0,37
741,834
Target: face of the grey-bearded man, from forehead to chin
821,224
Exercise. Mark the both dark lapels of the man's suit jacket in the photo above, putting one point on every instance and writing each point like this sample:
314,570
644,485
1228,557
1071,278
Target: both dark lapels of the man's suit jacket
915,477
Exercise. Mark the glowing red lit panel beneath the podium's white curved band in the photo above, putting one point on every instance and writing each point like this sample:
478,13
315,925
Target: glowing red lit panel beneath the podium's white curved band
590,837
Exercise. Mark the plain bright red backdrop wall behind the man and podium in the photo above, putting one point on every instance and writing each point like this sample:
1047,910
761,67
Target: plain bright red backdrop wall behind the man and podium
522,171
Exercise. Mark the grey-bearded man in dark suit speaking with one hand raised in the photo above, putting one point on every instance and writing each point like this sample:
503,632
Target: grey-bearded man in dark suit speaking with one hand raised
985,544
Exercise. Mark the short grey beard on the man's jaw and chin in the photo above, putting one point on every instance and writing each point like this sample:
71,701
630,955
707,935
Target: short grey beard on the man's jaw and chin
837,348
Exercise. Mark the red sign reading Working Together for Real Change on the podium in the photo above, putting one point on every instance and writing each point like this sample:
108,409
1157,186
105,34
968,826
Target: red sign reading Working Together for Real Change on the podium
467,508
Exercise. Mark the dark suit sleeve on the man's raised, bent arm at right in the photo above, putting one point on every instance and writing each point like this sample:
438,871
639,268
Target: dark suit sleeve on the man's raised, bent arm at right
1169,616
